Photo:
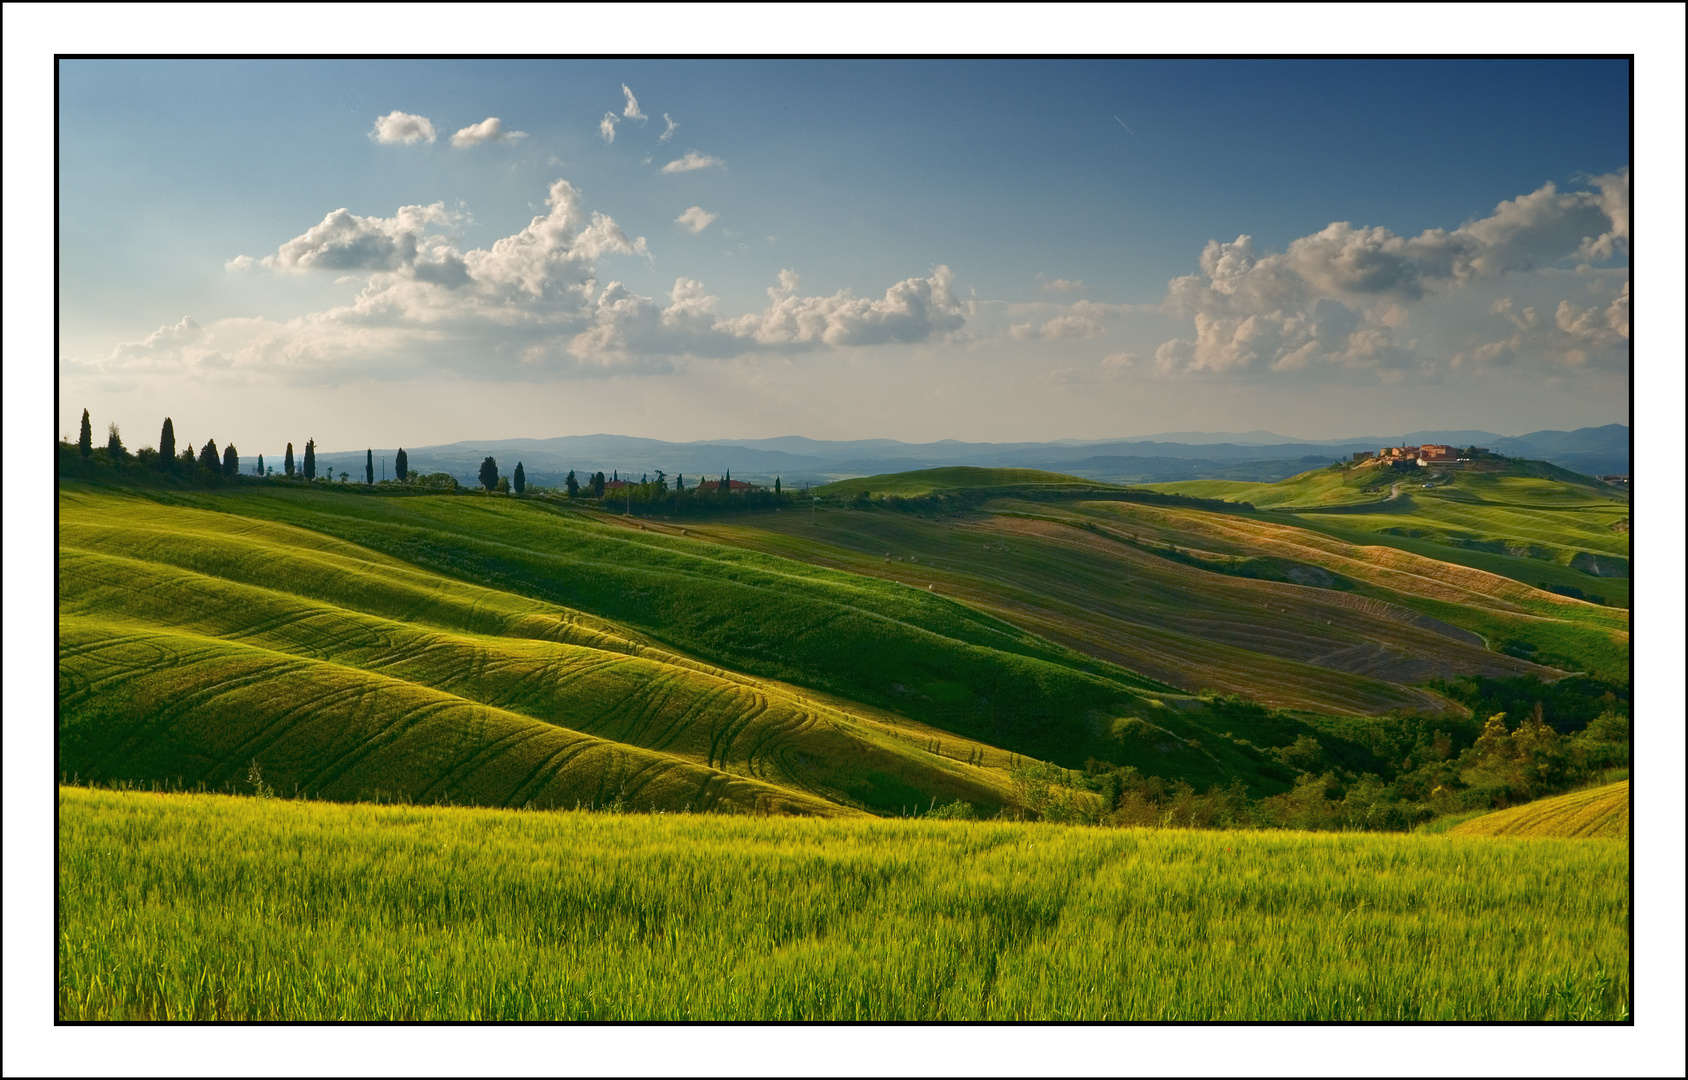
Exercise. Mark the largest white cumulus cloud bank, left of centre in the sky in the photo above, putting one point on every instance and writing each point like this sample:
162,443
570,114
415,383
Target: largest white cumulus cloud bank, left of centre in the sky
527,306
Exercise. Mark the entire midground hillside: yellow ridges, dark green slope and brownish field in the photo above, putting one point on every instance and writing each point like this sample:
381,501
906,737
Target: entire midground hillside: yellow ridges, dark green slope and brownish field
850,657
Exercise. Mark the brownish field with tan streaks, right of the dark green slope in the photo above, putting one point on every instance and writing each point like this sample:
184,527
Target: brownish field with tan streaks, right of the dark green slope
1071,573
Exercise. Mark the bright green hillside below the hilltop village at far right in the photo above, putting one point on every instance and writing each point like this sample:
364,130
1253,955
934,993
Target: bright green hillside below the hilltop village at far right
1530,512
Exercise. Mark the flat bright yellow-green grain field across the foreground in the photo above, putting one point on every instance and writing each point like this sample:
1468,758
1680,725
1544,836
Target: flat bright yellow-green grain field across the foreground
180,907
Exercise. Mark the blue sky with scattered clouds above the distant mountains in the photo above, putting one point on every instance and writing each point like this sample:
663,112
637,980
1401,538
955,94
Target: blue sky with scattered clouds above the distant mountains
987,251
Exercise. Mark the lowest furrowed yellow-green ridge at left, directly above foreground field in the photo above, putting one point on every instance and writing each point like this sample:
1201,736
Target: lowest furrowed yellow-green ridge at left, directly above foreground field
340,732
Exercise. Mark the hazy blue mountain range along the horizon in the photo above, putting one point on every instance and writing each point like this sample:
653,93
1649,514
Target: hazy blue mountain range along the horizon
799,462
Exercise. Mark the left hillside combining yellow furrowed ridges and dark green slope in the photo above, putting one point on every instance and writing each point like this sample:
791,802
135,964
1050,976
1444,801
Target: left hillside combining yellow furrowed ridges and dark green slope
502,652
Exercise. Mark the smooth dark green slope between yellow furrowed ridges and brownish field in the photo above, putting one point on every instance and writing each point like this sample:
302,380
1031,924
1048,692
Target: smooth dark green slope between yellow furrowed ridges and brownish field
877,644
